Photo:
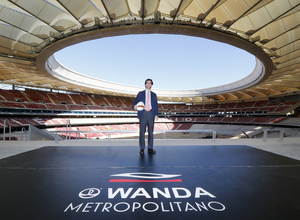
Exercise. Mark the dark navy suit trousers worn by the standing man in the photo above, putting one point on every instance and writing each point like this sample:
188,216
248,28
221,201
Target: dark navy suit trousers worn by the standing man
147,120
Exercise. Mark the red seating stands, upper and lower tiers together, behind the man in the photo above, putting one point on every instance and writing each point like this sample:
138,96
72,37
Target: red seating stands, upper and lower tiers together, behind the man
173,116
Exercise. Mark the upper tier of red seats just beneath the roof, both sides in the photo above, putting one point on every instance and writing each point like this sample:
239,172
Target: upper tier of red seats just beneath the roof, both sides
70,102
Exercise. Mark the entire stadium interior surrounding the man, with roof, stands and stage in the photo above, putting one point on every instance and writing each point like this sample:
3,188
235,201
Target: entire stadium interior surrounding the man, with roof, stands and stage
66,135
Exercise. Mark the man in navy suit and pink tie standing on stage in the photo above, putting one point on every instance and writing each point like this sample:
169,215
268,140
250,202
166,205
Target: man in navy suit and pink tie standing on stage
147,115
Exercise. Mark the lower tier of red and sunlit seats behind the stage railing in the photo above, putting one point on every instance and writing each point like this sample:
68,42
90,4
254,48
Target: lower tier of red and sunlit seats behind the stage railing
94,131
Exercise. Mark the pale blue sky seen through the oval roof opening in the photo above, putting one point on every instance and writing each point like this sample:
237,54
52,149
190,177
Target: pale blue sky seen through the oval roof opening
171,61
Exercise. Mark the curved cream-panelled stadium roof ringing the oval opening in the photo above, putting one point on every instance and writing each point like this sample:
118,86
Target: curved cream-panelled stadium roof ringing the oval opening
32,31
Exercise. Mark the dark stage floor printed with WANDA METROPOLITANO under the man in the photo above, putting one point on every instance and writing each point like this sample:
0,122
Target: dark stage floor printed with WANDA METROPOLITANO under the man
179,182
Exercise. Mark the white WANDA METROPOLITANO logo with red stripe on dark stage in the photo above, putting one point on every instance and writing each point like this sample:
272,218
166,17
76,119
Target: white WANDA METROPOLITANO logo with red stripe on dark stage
142,198
